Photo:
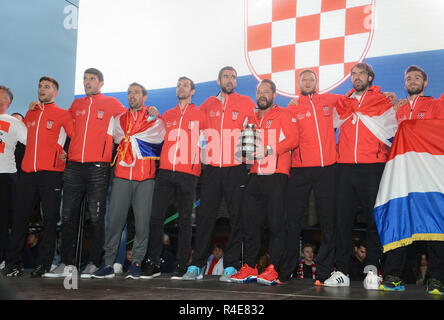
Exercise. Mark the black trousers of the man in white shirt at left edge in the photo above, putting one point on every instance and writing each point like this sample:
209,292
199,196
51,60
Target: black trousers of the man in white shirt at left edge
8,183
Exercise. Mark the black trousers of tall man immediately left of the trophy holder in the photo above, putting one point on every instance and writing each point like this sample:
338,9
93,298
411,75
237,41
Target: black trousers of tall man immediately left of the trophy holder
217,183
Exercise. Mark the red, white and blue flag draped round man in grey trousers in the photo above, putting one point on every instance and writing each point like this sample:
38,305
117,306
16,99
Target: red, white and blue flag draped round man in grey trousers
139,138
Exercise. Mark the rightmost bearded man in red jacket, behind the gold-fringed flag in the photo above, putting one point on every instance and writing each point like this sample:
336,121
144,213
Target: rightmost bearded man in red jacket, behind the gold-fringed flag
416,107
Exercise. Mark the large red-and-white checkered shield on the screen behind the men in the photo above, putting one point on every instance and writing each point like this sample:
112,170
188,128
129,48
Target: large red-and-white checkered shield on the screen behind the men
283,38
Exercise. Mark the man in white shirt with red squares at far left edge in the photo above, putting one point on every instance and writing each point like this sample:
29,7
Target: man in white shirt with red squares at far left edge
11,132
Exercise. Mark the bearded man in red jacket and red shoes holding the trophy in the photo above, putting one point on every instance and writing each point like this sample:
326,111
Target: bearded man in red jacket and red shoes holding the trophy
264,197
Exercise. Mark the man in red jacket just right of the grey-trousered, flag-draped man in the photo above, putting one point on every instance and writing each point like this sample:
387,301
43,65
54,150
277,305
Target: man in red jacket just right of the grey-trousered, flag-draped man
179,172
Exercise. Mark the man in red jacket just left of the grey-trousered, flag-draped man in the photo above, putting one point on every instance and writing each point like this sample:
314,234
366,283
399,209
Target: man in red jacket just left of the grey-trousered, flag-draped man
87,171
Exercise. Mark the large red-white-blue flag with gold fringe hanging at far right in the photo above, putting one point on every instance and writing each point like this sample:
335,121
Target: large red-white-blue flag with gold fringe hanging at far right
410,201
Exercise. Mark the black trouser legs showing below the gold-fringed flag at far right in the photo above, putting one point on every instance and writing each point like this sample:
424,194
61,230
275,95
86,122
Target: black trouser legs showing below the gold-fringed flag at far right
395,260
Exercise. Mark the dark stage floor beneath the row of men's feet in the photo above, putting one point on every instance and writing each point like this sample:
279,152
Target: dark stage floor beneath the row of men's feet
162,288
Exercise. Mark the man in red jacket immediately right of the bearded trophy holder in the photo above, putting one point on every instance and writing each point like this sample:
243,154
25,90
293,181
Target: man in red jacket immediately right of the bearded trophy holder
312,168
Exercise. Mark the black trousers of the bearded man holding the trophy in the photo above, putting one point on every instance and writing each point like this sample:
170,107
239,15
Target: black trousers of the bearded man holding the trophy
264,200
